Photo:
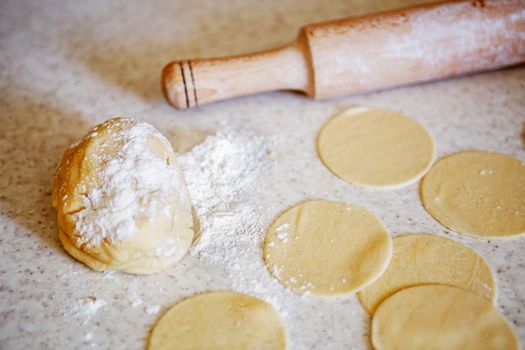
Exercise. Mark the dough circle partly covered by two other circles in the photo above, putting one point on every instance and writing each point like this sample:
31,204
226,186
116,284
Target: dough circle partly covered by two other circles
420,259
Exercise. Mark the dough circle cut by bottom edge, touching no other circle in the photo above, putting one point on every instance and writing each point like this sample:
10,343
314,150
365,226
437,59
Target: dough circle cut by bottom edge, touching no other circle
219,320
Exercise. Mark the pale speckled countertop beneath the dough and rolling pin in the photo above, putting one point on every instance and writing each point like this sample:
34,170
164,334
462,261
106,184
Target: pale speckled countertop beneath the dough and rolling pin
67,65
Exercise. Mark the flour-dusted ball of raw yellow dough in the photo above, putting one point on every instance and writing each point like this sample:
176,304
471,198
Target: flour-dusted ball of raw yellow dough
121,201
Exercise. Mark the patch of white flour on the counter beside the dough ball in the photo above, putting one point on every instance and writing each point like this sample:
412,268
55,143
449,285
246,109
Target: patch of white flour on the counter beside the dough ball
222,174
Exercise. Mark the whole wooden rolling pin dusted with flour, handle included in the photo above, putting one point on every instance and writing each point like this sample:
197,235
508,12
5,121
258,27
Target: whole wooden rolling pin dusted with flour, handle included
363,54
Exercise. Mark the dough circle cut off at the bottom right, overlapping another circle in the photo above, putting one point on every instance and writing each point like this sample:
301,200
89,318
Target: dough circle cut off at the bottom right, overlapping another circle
440,317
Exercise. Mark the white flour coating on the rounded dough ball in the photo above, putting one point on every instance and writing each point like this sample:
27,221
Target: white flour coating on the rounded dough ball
134,185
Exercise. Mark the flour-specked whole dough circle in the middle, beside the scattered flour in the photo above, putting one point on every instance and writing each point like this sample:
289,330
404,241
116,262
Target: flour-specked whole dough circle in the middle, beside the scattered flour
327,248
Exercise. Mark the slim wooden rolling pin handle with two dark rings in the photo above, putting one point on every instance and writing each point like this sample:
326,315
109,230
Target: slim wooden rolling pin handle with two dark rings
187,84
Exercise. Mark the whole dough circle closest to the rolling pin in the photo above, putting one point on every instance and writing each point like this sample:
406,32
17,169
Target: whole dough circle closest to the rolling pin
375,147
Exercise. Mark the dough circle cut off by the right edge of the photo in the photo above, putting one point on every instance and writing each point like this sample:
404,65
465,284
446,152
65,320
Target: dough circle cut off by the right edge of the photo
481,194
